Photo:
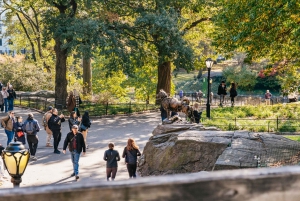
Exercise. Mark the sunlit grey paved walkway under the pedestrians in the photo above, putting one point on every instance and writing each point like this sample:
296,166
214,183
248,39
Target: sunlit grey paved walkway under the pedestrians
52,168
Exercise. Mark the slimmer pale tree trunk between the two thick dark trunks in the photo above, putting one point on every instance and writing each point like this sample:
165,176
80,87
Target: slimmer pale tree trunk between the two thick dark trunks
87,75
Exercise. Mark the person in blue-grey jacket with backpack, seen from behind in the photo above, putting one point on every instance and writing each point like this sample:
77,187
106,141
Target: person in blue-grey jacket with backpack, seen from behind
31,127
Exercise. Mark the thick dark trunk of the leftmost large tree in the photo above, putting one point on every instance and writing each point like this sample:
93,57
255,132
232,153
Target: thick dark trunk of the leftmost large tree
60,75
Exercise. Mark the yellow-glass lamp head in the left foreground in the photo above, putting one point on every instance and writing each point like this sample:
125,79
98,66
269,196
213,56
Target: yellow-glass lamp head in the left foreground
15,158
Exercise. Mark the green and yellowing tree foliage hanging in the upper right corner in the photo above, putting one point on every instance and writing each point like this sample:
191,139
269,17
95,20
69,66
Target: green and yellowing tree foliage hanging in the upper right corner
265,28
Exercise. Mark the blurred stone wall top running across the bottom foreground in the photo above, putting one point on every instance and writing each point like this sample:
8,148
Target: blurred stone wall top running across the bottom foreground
263,184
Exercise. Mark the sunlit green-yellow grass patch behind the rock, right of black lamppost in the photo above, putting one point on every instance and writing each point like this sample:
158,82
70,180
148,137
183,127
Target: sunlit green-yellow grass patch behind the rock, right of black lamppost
282,118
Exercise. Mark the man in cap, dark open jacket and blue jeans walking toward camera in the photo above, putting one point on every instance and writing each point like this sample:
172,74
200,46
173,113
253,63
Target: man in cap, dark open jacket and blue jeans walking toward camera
76,144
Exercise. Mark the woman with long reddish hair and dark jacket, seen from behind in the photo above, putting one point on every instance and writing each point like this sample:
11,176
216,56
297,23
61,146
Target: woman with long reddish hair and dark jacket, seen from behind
130,153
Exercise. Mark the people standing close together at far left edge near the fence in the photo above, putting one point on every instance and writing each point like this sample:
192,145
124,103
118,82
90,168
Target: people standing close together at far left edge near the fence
7,97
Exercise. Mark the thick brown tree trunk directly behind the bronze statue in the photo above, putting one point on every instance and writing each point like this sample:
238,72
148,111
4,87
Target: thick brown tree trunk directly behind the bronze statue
164,78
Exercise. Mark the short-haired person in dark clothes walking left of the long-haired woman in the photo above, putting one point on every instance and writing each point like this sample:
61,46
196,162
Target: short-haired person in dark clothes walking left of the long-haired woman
111,157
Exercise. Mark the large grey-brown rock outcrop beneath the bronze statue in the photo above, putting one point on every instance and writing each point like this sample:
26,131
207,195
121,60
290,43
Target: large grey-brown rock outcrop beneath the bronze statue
185,148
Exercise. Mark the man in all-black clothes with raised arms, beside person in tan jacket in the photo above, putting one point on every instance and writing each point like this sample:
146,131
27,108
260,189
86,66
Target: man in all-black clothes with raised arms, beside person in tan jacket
54,124
